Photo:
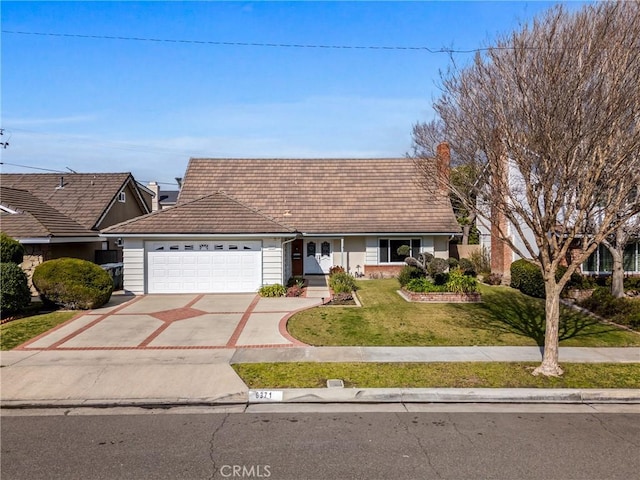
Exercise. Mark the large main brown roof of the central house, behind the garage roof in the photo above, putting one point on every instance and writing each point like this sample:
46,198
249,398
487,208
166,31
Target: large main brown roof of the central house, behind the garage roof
327,195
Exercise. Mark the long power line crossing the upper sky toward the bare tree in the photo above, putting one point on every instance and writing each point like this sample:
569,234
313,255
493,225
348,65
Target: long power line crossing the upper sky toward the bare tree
255,44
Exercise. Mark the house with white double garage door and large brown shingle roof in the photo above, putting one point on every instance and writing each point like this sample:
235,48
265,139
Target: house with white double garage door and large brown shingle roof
243,223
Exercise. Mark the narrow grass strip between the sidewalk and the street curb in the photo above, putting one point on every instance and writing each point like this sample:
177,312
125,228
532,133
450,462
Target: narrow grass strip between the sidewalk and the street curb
436,375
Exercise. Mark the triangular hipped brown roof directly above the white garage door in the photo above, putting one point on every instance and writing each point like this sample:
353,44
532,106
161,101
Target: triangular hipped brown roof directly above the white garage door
214,214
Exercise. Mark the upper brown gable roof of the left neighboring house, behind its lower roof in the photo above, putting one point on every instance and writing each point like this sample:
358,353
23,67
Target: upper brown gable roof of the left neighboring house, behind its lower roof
84,198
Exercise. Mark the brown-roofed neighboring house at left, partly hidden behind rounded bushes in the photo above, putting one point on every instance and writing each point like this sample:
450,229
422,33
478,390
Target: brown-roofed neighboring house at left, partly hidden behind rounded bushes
60,215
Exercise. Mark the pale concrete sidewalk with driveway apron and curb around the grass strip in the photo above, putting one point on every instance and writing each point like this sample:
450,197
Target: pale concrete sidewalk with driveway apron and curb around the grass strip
168,377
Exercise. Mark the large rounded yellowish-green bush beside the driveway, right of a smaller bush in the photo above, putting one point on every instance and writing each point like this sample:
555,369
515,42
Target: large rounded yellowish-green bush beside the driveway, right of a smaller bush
72,283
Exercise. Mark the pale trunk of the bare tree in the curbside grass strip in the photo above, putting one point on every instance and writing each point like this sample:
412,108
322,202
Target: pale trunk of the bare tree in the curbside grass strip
550,366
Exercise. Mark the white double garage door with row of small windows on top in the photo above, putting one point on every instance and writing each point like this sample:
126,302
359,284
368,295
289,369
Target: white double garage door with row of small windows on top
204,267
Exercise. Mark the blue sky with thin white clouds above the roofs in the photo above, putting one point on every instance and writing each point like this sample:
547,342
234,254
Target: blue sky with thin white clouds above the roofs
99,105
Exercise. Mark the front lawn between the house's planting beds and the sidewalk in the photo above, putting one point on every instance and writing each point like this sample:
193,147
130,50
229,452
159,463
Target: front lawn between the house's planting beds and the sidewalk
505,317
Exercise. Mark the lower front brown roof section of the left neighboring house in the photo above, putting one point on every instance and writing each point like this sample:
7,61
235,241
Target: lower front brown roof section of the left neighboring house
34,218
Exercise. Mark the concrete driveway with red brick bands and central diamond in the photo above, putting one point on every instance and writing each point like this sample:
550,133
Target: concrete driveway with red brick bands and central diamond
194,321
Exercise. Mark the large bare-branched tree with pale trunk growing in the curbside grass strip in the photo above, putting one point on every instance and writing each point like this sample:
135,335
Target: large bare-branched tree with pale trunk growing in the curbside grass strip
550,117
